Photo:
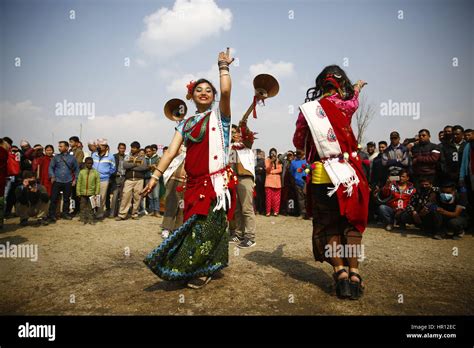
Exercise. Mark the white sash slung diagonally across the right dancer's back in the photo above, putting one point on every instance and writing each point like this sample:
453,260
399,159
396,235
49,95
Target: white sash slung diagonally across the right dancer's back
327,145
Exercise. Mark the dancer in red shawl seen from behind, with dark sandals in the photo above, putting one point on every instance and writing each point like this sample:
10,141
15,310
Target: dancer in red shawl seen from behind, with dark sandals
338,194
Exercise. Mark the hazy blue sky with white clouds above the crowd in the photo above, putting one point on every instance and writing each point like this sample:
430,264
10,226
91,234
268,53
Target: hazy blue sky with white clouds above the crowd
82,60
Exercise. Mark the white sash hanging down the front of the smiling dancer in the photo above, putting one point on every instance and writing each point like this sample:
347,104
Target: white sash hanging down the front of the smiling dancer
218,159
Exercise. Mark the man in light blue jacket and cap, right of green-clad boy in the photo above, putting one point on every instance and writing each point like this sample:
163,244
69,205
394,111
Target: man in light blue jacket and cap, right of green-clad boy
104,163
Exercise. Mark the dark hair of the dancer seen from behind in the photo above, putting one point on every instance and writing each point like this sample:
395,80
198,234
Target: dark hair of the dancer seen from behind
323,86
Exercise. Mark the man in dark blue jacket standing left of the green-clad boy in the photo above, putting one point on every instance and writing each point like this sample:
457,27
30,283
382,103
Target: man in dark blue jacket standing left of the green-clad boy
63,171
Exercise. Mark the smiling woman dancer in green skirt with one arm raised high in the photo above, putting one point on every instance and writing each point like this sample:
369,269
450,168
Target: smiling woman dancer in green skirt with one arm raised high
199,247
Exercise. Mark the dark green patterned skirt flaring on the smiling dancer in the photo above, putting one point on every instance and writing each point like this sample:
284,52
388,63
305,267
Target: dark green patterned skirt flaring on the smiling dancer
198,248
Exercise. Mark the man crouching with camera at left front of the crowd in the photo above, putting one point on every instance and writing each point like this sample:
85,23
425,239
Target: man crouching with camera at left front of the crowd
32,200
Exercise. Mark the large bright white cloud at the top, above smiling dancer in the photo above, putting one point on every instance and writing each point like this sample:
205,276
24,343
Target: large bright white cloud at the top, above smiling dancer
170,32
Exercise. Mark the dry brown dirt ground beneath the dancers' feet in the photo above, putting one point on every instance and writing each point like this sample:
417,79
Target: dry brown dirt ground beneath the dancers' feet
85,270
